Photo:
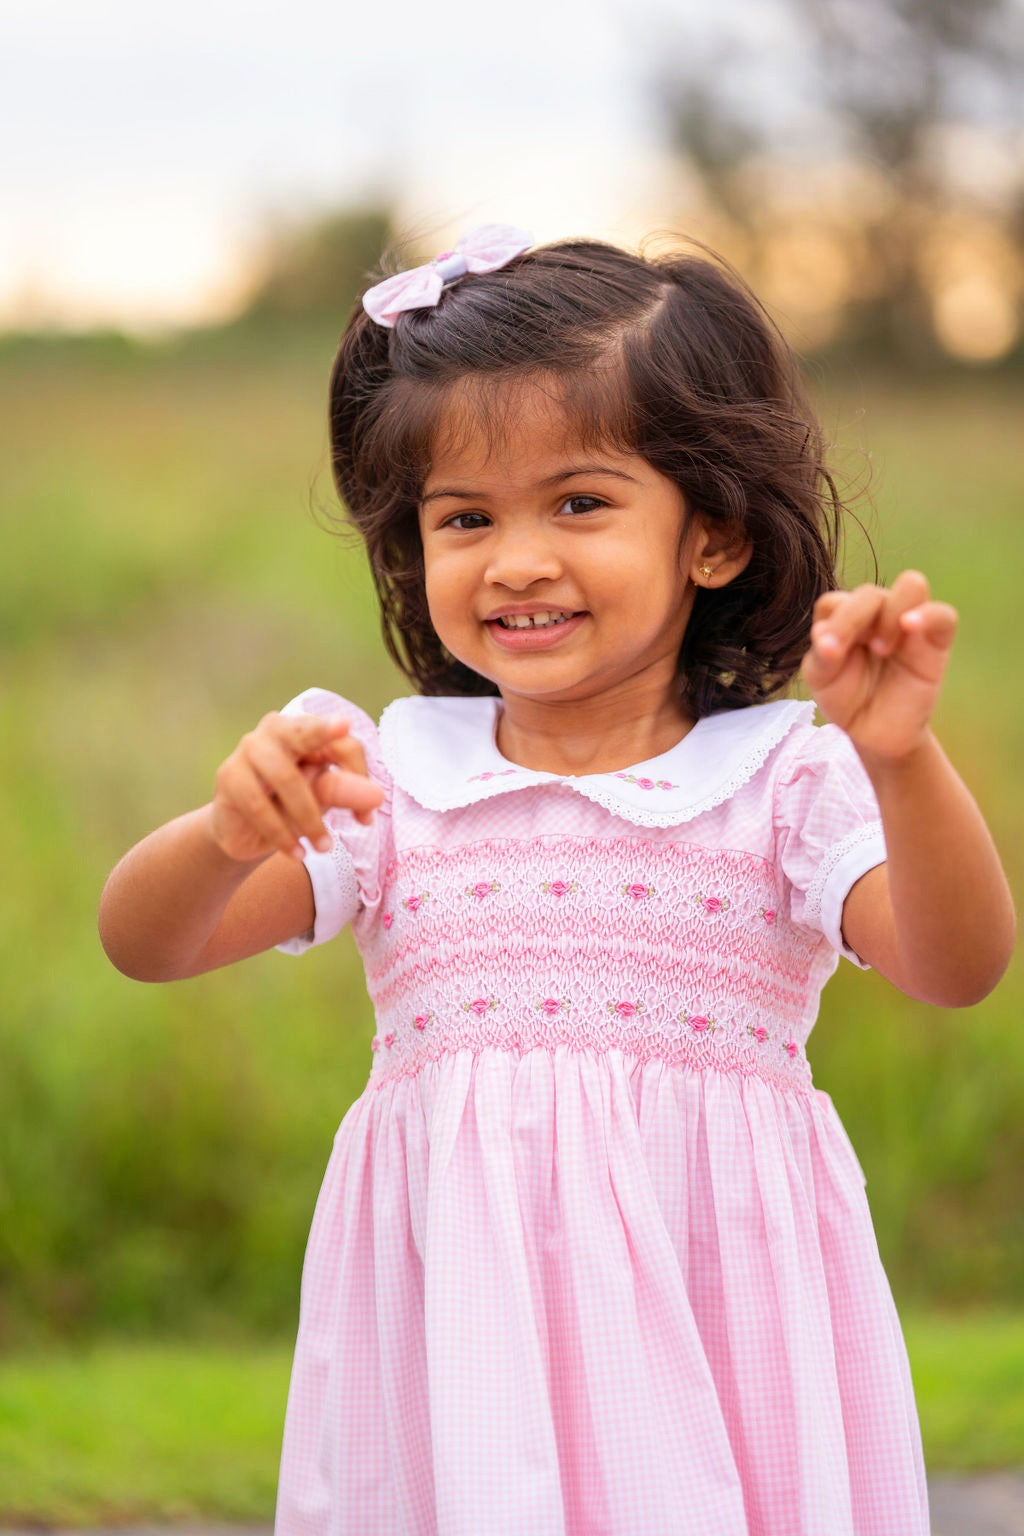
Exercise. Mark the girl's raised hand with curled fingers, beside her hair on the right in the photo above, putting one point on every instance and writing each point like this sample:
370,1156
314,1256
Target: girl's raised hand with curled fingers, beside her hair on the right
877,661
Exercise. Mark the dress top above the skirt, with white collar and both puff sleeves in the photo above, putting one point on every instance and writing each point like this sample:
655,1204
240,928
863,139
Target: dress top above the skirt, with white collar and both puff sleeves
687,910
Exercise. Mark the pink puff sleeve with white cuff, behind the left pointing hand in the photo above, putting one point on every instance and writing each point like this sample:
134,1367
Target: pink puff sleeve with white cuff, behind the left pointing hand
348,878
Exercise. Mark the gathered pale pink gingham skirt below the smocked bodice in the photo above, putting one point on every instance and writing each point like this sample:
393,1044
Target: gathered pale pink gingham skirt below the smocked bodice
576,1294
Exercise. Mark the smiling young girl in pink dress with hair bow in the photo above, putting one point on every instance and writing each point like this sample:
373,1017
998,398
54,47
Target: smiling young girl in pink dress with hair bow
593,1257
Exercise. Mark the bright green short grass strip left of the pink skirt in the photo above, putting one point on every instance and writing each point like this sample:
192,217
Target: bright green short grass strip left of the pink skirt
142,1432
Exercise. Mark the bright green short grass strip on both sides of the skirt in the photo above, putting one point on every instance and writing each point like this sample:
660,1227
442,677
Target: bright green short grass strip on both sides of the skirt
159,1432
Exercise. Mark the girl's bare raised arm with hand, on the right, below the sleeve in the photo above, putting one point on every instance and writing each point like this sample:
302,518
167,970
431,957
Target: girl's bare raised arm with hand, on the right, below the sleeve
937,919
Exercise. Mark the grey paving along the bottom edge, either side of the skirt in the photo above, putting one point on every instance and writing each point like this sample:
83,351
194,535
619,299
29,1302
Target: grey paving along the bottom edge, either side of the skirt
988,1505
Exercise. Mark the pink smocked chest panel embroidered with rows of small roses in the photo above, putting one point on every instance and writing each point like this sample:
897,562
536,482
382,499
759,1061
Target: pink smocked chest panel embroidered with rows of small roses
659,948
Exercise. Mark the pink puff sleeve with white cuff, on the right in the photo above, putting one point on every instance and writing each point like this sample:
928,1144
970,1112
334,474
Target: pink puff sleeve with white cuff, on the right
828,830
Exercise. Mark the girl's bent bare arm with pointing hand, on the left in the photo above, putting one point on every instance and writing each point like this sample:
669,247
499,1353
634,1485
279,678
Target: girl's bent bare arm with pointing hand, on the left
225,882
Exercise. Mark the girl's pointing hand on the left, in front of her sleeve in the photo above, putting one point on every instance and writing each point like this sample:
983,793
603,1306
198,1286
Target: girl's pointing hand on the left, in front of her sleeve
273,789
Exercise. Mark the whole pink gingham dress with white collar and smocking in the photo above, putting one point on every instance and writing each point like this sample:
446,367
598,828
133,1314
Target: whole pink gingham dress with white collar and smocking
592,1256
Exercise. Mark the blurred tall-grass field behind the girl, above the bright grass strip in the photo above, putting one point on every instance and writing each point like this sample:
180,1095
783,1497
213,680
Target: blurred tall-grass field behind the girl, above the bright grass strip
167,578
